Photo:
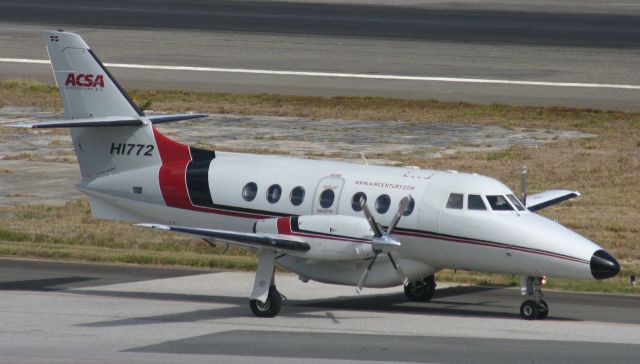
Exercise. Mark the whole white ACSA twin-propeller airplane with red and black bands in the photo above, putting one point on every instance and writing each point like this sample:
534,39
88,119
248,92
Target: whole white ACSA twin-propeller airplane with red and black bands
312,217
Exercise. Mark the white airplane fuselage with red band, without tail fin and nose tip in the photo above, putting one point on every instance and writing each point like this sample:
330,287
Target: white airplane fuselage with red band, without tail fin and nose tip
433,236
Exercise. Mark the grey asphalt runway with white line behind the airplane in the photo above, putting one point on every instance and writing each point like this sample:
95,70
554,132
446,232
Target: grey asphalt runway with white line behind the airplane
597,44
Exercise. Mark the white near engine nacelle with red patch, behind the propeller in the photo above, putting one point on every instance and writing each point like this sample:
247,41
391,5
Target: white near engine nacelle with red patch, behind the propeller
331,237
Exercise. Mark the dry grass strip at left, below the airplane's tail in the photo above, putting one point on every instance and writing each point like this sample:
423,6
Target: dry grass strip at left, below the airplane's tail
69,232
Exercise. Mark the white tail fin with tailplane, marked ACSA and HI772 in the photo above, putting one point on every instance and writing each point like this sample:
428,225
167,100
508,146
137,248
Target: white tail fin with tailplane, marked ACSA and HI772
110,134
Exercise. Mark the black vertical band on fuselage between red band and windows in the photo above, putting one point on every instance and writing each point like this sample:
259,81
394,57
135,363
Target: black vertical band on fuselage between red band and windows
197,177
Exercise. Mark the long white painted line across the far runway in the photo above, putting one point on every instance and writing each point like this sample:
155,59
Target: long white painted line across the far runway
344,75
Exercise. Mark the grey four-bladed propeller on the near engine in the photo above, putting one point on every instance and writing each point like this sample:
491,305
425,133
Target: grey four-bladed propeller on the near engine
383,241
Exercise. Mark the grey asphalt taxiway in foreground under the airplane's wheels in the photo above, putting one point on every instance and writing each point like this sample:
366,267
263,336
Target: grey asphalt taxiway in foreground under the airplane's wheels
72,312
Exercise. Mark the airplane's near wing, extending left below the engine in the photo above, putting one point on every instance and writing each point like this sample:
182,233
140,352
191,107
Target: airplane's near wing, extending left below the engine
256,240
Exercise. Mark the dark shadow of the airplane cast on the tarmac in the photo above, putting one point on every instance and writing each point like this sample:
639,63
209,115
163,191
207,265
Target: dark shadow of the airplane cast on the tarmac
393,303
